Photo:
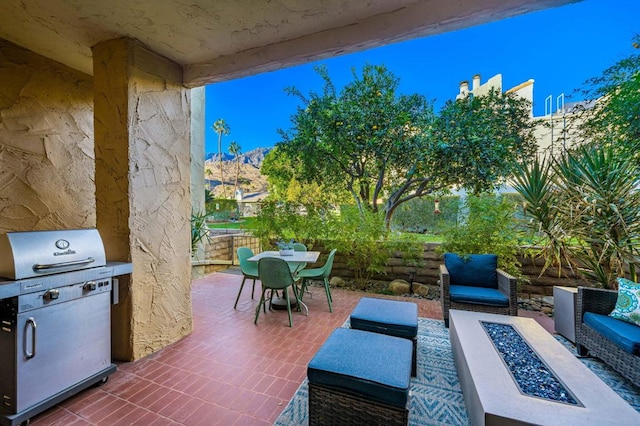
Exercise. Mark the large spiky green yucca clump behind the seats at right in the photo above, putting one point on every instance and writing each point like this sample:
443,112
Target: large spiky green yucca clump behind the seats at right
586,203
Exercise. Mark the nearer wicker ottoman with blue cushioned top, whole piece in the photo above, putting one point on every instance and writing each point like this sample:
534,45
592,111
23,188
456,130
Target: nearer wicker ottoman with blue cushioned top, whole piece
360,378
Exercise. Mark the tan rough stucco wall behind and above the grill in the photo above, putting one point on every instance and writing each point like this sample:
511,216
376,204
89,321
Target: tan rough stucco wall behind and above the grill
46,144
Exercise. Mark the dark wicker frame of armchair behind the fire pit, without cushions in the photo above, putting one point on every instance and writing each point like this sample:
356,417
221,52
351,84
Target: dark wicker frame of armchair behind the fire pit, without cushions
505,286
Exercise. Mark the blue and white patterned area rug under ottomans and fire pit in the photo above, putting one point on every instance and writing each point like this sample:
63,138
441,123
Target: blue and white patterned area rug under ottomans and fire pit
436,397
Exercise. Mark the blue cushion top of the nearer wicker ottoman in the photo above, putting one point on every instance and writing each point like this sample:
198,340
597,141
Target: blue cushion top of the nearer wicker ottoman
372,365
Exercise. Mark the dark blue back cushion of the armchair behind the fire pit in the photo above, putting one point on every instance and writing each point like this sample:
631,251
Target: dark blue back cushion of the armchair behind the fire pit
478,270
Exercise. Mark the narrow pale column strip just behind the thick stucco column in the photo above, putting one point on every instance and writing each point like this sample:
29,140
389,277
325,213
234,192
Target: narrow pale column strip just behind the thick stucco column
197,159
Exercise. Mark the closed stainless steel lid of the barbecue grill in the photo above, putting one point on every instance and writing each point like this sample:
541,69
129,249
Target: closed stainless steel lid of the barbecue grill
36,253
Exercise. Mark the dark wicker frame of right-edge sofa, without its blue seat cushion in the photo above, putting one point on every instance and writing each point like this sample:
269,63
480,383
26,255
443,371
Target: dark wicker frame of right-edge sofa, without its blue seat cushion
590,341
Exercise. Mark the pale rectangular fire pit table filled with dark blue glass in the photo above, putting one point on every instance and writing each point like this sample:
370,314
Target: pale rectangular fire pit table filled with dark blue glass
498,389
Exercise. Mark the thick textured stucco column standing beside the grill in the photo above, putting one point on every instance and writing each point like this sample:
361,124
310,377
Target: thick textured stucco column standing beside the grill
142,130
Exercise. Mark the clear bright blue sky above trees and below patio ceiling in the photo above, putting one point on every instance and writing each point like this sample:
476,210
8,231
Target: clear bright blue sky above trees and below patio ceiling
559,48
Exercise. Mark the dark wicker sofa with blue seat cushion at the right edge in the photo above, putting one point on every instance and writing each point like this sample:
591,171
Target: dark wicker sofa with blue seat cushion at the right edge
615,342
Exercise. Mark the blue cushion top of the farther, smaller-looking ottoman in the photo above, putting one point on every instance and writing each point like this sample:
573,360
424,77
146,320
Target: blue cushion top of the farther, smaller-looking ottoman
390,317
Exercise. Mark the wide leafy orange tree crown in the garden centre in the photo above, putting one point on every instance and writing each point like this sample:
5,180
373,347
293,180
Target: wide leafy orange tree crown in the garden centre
377,144
